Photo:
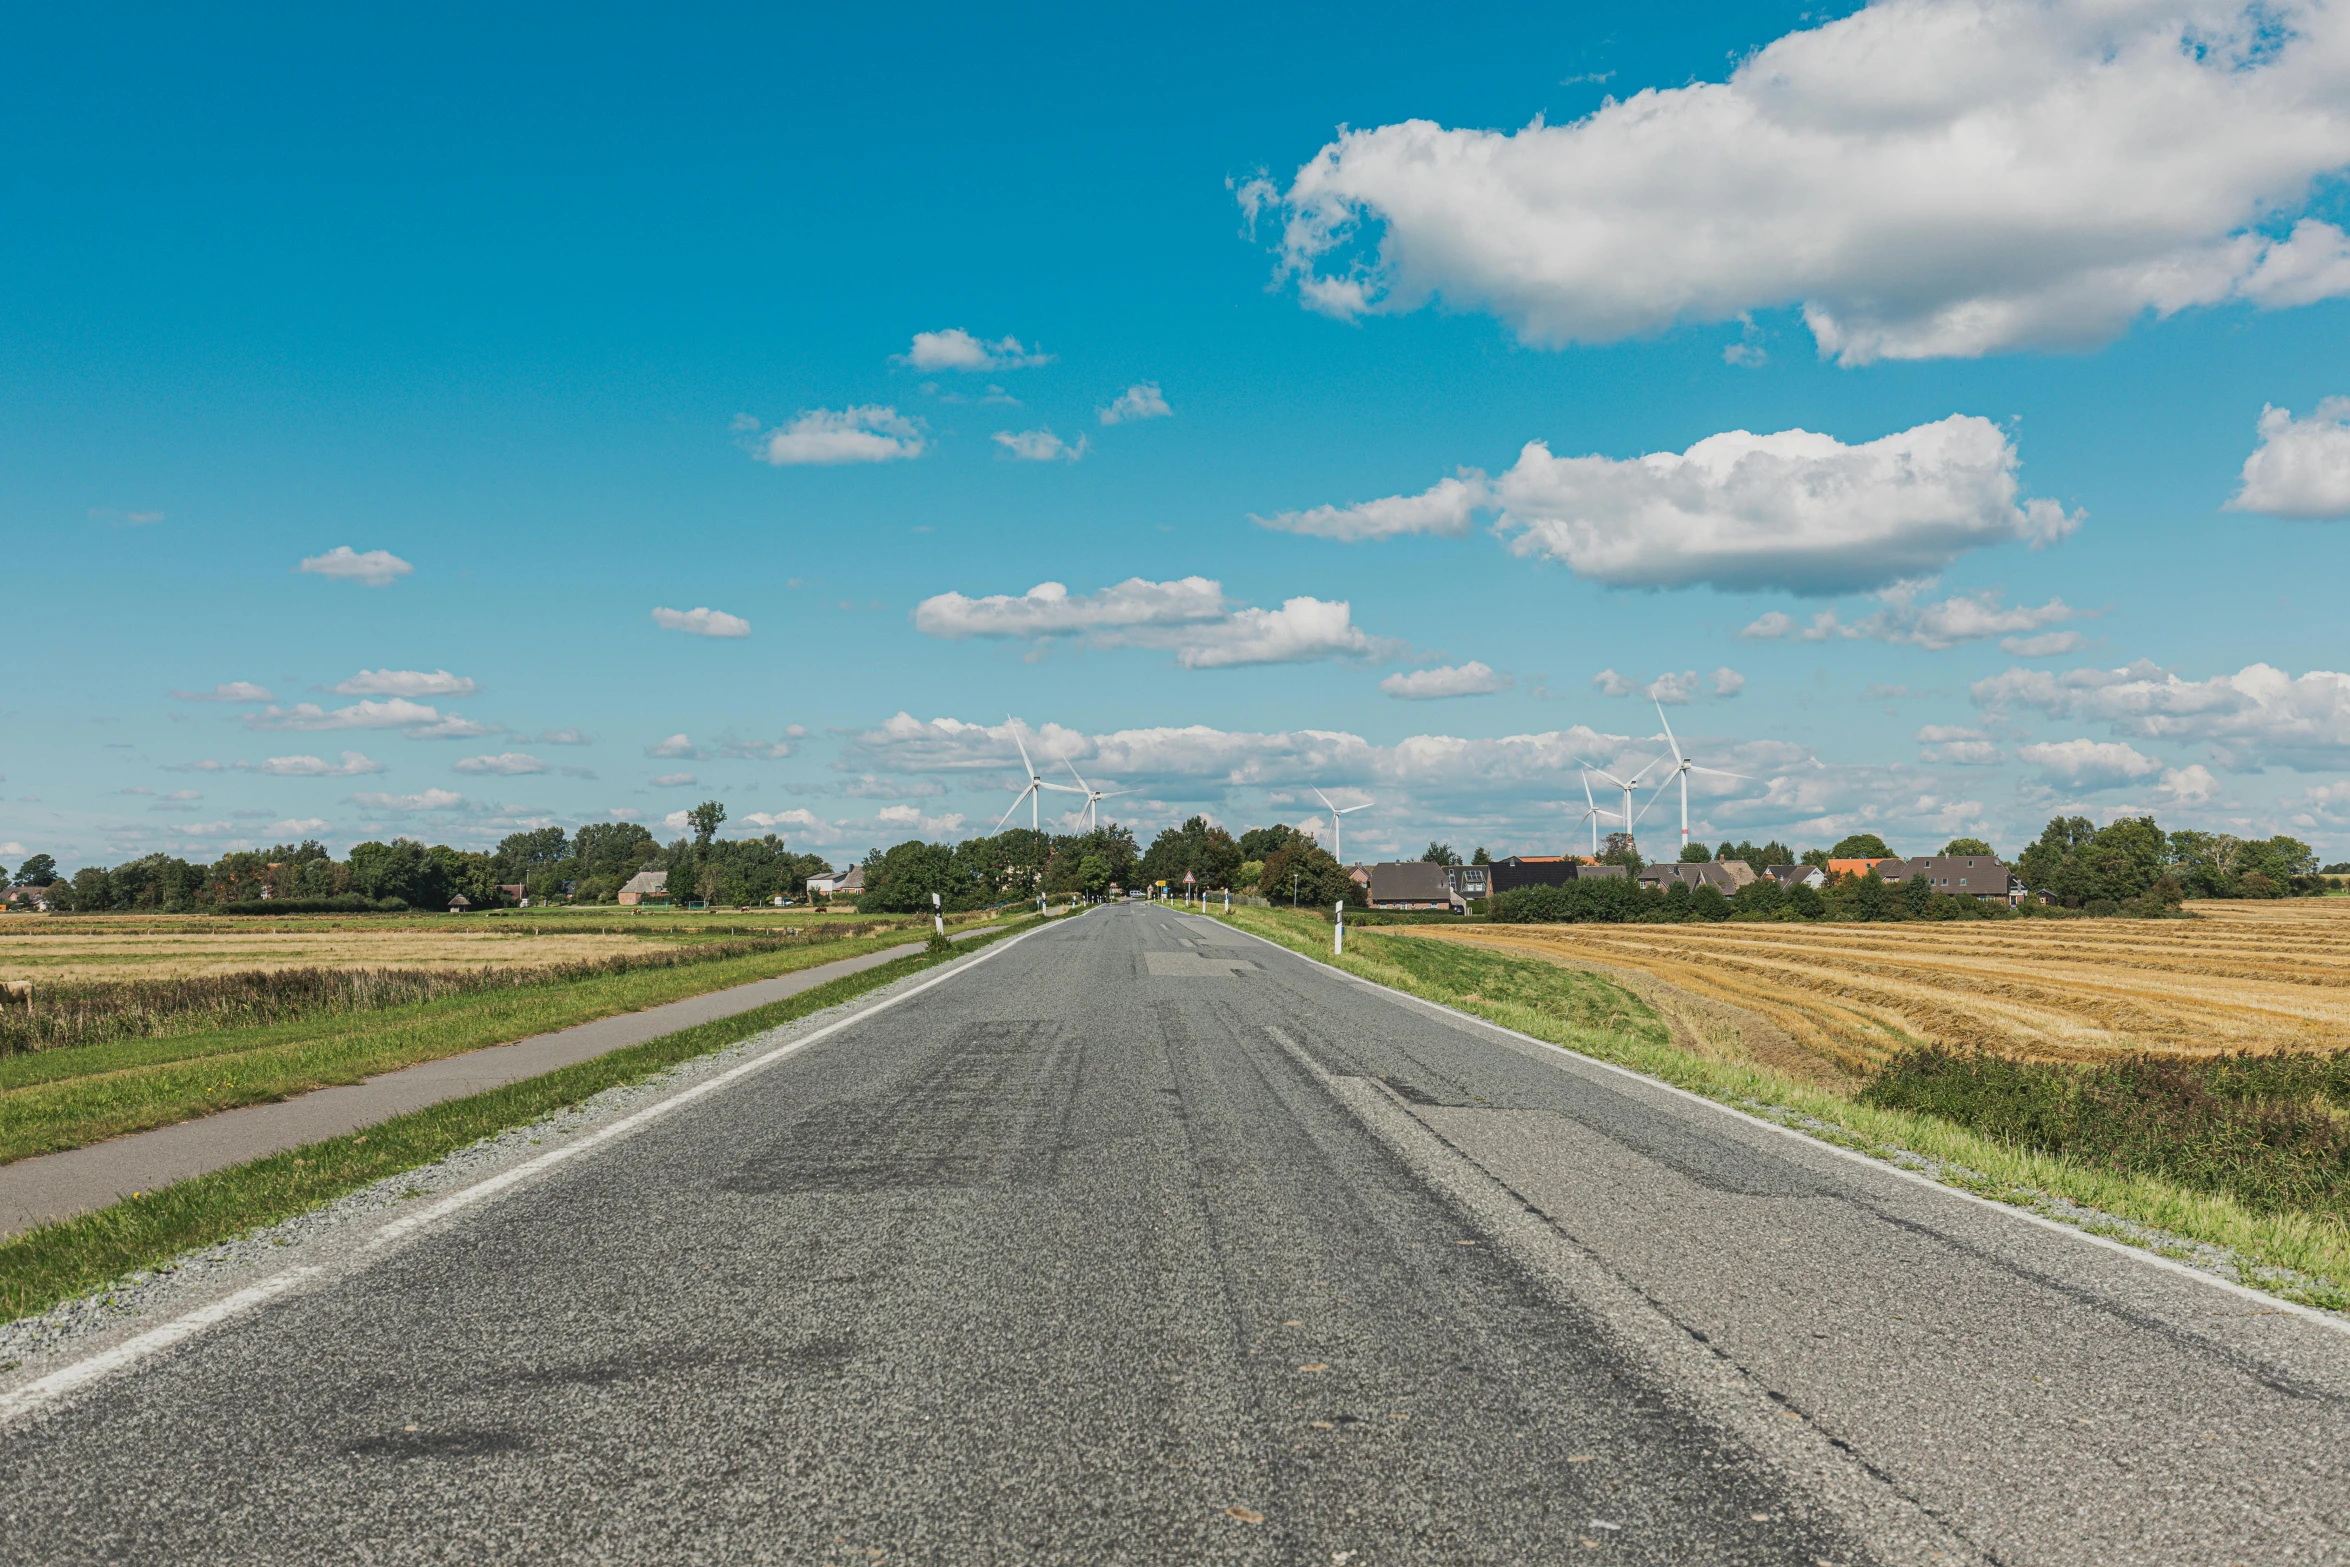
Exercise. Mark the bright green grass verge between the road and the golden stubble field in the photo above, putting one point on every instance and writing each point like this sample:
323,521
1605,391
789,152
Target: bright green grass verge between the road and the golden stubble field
2292,1253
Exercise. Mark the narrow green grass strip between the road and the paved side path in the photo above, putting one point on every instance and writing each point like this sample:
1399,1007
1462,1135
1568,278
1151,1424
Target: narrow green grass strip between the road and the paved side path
79,1256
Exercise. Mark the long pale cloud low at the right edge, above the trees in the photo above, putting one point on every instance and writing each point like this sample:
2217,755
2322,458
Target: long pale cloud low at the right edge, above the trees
2257,713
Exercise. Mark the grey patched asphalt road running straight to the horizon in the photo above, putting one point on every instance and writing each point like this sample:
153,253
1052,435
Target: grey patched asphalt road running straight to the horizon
1141,1242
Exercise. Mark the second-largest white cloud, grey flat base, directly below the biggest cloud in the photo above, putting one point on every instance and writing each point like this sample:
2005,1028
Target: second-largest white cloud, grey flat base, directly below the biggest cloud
1787,511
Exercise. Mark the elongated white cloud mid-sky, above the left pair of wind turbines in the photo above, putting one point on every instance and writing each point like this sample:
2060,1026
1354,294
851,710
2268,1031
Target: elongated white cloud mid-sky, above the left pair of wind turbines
1188,617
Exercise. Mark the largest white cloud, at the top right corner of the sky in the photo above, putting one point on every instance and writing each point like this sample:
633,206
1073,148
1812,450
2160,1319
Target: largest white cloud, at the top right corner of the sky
1923,177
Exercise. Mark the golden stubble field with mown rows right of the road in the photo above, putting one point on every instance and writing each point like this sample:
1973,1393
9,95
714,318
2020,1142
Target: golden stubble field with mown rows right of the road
2241,976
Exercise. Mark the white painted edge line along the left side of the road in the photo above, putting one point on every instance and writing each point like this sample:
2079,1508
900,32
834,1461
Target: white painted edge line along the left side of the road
79,1376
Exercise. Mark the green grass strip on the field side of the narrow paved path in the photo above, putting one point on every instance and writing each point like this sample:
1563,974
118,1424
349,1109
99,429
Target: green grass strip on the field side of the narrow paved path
74,1096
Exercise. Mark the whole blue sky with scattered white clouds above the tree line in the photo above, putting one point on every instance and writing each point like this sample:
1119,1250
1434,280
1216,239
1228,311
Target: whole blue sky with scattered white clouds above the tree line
528,328
